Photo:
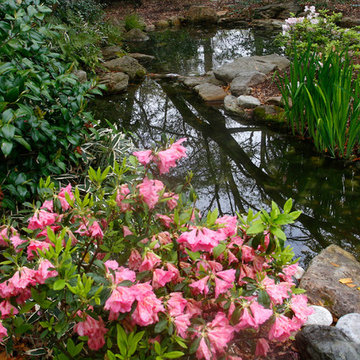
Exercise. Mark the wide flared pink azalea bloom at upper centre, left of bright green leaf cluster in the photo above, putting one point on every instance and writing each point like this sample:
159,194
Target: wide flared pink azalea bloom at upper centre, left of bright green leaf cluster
202,239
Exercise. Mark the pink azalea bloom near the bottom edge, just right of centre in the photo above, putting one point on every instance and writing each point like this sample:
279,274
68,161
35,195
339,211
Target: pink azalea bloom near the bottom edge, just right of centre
220,333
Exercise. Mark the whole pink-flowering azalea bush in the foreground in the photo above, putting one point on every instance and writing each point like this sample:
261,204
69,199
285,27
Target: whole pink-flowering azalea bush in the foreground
133,268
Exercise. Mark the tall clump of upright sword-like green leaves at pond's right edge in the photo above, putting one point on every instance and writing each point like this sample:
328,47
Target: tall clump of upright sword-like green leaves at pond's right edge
322,101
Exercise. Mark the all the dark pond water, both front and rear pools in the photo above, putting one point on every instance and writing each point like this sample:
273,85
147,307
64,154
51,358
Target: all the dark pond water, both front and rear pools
238,165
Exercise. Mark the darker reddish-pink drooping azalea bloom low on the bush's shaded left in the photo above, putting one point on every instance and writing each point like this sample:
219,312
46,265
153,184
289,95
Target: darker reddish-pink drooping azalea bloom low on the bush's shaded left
94,330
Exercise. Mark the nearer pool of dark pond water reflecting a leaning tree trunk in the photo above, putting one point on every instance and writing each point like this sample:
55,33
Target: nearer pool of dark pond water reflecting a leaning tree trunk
239,165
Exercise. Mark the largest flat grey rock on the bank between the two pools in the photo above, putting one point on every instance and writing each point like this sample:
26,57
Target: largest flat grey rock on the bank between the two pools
263,64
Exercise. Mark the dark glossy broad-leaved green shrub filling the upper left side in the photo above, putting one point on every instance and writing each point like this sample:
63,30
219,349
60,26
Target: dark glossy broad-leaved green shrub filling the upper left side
42,104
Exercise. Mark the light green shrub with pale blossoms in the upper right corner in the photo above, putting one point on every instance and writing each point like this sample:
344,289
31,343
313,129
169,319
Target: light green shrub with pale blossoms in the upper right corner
321,32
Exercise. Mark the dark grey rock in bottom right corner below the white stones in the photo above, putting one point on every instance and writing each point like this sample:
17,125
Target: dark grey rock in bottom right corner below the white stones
319,342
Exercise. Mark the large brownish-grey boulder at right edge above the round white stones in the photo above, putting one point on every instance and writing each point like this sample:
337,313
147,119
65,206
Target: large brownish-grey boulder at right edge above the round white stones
321,281
